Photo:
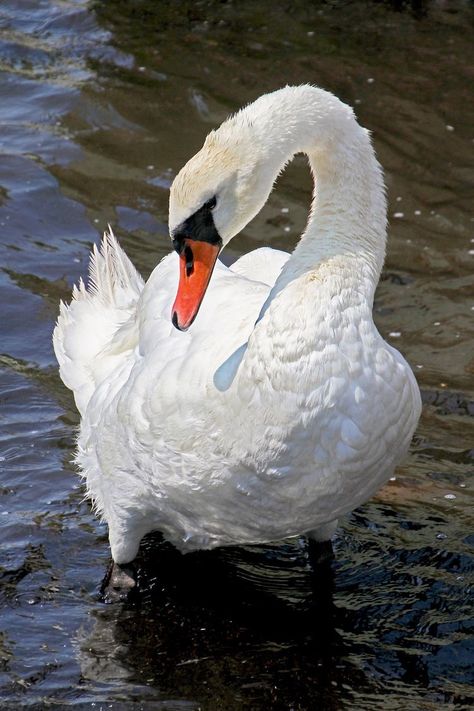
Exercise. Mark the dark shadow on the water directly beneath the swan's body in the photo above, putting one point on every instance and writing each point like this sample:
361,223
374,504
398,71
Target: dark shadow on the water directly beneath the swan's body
229,628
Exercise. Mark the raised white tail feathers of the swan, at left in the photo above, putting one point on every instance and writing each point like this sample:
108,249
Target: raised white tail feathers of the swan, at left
96,330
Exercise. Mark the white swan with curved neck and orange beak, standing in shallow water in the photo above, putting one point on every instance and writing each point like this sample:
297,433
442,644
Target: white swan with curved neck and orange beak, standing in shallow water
282,408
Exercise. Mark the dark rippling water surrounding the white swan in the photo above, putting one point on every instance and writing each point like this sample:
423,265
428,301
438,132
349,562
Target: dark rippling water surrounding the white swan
100,104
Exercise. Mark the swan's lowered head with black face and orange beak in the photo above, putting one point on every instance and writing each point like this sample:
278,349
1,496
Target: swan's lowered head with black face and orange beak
212,198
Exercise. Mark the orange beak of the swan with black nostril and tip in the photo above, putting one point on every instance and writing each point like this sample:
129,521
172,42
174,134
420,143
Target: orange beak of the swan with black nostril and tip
196,263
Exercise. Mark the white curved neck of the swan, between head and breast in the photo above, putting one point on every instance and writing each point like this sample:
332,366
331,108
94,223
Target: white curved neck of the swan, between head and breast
347,221
